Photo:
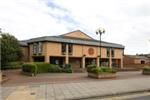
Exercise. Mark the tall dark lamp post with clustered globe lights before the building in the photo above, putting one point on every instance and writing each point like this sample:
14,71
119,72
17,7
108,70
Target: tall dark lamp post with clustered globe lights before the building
100,31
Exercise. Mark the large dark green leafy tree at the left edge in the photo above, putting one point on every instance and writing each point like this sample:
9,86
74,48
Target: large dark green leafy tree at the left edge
10,49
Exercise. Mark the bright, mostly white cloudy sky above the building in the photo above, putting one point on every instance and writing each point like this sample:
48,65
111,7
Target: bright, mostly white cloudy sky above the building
126,22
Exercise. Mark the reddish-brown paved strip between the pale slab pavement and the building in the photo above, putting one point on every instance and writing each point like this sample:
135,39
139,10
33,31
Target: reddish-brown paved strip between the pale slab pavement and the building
16,78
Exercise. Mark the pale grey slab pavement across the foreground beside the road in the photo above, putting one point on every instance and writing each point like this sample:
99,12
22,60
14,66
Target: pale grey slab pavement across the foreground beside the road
75,90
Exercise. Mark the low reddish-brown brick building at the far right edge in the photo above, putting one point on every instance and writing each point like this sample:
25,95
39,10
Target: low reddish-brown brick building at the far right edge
136,60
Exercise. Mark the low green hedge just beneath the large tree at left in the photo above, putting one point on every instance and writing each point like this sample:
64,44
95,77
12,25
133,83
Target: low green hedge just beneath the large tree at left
13,65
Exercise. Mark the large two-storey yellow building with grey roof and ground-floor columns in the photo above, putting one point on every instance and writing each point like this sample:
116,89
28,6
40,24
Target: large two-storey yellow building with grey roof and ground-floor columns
75,48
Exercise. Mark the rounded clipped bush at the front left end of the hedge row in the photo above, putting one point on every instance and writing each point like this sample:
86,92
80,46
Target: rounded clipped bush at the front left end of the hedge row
29,68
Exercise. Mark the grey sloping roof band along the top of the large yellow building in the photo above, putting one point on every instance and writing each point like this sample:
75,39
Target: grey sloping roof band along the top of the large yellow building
66,39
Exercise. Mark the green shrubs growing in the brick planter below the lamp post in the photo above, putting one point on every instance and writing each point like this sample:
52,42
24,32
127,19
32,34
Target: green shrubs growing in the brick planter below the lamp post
102,69
